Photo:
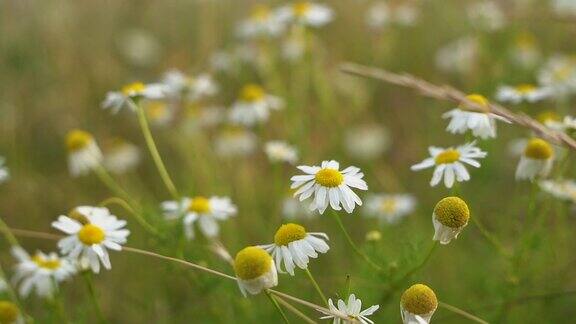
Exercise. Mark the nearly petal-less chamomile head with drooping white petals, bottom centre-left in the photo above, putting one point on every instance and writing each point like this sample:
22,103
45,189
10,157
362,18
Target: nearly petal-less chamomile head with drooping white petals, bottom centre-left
255,270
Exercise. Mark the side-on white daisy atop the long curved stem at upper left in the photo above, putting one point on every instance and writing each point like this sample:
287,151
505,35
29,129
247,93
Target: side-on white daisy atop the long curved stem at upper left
116,100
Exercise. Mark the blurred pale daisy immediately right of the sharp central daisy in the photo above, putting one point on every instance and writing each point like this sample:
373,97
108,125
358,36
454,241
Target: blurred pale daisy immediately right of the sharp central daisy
389,208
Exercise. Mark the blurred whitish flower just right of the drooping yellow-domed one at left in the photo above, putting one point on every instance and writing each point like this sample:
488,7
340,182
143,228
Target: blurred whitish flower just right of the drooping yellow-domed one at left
120,156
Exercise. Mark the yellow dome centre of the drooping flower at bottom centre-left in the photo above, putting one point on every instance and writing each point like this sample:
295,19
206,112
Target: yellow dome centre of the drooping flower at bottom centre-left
252,262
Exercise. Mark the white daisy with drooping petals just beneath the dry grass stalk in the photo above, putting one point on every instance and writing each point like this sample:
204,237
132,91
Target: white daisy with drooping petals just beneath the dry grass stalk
482,124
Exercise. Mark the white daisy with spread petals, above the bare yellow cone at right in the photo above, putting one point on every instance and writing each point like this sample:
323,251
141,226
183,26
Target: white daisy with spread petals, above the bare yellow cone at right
450,163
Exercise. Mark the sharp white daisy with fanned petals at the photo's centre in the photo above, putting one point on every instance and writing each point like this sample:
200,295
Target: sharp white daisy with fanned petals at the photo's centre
330,186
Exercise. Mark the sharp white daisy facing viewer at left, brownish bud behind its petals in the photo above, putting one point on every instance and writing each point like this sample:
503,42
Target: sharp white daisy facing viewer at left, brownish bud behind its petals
91,232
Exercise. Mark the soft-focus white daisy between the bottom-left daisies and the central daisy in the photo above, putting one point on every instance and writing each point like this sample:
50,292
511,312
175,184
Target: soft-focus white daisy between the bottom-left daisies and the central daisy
206,211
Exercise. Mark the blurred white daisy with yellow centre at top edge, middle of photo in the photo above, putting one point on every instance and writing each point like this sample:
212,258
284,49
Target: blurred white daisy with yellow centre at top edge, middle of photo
307,13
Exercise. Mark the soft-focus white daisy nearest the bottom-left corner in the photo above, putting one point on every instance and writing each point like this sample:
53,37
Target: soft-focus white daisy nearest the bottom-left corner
40,272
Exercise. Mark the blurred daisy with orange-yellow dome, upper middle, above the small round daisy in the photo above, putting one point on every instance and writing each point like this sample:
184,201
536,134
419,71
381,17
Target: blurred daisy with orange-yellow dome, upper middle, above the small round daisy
253,106
